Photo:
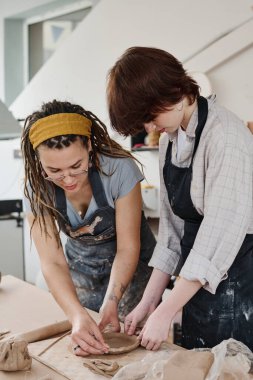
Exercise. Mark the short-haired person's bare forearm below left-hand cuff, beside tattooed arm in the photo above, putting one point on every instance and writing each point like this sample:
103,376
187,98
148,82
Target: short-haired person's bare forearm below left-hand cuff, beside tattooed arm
155,287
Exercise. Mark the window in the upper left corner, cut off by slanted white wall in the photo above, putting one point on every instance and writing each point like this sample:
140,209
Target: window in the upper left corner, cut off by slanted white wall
31,37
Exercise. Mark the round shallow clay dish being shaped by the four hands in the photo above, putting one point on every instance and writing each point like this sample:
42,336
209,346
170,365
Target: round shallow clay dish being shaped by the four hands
119,343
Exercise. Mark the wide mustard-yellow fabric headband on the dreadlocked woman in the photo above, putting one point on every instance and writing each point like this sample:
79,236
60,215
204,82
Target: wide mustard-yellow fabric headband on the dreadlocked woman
57,125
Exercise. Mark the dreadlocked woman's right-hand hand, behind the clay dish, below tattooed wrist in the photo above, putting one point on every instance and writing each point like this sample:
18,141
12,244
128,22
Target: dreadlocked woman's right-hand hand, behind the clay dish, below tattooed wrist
109,316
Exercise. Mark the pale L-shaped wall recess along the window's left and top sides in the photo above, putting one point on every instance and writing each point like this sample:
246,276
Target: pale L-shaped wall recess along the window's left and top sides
13,36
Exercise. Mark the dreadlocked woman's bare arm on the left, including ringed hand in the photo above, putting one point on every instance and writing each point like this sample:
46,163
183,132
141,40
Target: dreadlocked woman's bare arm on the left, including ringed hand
85,332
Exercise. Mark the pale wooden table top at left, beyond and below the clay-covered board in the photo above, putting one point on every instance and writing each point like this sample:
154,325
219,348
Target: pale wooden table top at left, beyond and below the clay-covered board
24,307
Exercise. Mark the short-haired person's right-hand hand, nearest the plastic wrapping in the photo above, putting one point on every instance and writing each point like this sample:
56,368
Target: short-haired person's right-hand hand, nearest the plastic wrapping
156,329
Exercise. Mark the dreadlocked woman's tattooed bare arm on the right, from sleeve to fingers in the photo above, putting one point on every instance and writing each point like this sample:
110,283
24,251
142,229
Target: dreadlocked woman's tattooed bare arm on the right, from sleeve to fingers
128,220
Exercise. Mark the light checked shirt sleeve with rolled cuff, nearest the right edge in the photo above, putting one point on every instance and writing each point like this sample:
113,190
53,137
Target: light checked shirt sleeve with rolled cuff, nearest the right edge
227,208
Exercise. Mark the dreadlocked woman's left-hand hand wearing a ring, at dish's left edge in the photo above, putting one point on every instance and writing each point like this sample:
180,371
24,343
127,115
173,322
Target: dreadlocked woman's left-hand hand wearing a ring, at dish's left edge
86,336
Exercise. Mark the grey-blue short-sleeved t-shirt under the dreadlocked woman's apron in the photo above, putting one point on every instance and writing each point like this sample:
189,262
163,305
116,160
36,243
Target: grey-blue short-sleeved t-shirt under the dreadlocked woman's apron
122,175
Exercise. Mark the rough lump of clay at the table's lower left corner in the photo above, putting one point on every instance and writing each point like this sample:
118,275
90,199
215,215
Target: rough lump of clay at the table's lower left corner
14,356
